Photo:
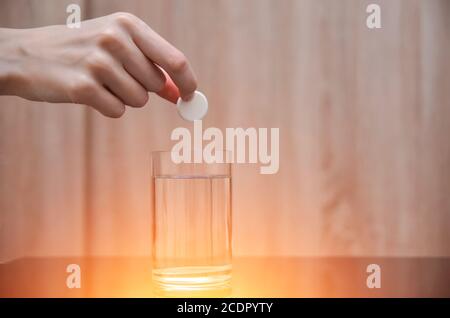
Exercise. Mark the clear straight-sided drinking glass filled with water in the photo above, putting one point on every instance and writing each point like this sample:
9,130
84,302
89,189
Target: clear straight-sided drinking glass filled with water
191,227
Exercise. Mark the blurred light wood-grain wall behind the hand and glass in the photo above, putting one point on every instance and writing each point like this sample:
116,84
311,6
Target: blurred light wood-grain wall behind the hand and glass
364,118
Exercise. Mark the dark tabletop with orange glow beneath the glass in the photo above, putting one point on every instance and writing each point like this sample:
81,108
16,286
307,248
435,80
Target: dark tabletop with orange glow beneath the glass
252,277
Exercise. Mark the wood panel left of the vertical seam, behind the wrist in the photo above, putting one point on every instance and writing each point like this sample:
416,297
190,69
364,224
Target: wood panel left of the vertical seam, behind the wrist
41,159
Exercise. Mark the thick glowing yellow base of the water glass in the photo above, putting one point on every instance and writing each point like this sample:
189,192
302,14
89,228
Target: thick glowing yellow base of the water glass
192,281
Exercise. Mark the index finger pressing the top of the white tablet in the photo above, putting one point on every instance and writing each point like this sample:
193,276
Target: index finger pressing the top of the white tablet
161,52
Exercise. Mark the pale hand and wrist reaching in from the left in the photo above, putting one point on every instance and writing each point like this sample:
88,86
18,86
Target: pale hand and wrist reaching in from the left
109,62
